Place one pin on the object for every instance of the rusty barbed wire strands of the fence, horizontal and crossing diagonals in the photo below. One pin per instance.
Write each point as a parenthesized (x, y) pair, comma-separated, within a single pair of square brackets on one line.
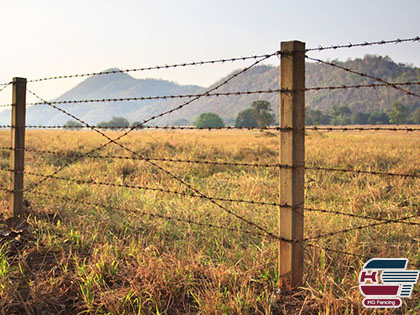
[(190, 190)]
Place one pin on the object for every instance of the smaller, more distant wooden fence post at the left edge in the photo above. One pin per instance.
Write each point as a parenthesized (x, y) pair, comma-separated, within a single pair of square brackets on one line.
[(18, 145)]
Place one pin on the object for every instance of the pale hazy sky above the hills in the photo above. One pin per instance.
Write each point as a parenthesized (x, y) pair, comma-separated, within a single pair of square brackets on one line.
[(43, 38)]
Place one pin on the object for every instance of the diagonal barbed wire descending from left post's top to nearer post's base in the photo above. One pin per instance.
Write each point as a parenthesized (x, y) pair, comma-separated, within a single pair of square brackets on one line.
[(239, 217)]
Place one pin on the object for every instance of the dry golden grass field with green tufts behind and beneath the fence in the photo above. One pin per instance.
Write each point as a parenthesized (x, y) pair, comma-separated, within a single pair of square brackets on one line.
[(102, 253)]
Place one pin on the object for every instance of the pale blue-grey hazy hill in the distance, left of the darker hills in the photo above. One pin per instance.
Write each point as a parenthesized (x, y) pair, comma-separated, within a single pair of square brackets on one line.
[(119, 85)]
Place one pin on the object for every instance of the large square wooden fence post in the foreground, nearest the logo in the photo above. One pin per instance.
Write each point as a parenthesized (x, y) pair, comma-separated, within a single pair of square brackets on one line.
[(292, 153)]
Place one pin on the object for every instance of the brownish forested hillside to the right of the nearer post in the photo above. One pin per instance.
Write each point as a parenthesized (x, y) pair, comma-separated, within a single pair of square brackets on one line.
[(363, 99)]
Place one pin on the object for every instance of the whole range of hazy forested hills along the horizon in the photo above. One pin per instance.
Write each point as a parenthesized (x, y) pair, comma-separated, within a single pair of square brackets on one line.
[(257, 78)]
